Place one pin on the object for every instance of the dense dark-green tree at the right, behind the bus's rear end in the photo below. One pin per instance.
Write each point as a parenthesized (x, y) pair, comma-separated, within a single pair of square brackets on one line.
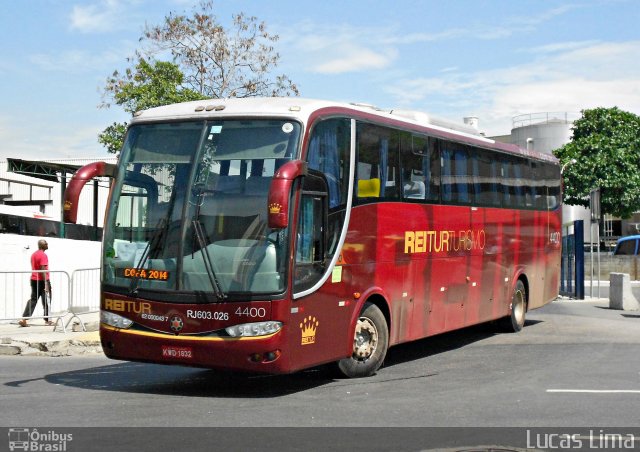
[(606, 147)]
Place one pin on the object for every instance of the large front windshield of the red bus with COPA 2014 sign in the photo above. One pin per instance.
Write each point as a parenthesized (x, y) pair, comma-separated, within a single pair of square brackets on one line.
[(188, 209)]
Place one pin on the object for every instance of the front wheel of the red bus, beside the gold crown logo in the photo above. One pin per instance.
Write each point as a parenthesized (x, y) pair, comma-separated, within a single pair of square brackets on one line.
[(370, 344)]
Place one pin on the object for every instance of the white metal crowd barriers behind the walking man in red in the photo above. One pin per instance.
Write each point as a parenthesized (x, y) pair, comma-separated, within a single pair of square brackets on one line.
[(75, 294)]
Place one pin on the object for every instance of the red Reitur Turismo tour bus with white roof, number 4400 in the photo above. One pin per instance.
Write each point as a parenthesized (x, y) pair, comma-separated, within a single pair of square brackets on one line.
[(272, 235)]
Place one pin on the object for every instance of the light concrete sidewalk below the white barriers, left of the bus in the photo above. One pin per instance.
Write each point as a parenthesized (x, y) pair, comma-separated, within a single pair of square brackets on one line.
[(40, 339)]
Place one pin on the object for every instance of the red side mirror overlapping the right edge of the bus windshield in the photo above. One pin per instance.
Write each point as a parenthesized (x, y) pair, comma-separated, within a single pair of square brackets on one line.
[(280, 193)]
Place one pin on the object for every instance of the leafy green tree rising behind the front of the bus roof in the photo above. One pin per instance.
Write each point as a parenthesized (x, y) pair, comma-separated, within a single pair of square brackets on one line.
[(150, 84)]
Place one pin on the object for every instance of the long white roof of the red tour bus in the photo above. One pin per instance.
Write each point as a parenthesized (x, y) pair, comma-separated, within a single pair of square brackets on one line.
[(302, 109)]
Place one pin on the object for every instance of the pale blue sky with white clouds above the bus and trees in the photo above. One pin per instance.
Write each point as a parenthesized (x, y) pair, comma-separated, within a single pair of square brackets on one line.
[(494, 59)]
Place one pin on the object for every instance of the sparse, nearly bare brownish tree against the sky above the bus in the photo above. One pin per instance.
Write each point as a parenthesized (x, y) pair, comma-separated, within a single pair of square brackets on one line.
[(218, 62)]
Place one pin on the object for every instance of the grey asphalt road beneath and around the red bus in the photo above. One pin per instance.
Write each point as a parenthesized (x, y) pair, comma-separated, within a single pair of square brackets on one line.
[(575, 364)]
